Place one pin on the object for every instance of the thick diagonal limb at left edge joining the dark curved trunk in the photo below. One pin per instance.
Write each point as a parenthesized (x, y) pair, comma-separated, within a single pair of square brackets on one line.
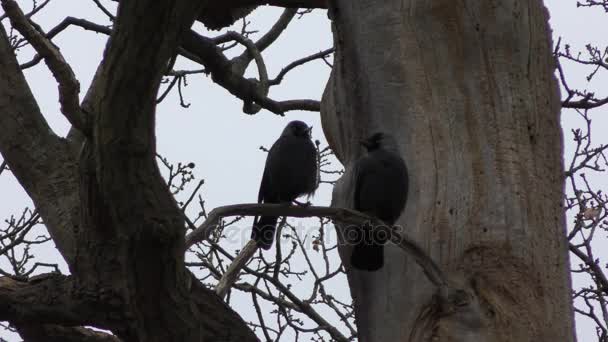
[(42, 163)]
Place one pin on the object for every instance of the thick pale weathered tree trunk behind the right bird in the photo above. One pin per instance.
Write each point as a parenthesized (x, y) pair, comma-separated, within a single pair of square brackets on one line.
[(468, 89)]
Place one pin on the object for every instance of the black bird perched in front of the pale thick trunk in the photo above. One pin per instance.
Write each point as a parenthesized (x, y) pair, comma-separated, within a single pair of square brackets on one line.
[(381, 185)]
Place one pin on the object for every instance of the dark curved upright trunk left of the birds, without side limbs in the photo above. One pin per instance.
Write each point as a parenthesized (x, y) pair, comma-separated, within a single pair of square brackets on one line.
[(132, 226)]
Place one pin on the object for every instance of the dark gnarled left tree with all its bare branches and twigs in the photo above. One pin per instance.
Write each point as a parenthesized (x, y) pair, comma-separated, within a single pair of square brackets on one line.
[(71, 190)]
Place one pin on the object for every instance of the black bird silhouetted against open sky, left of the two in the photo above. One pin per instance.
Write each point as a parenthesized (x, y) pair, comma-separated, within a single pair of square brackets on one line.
[(291, 171)]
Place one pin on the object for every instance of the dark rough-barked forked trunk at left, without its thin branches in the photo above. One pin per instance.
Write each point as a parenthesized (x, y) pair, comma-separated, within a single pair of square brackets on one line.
[(105, 203)]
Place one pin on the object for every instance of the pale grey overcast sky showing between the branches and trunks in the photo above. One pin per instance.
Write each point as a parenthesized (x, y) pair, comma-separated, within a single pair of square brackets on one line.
[(215, 134)]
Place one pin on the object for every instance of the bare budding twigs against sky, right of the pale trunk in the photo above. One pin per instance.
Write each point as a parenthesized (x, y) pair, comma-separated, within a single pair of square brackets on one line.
[(586, 200)]
